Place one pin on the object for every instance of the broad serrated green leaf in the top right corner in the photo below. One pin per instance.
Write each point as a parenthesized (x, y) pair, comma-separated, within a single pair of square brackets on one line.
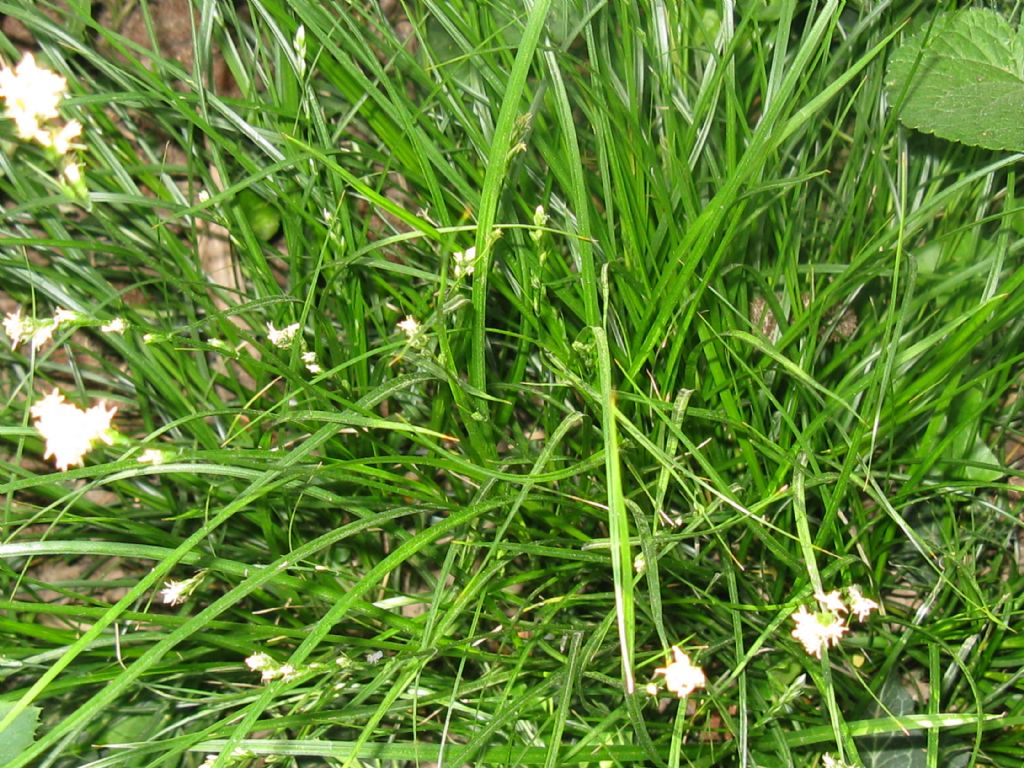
[(963, 80)]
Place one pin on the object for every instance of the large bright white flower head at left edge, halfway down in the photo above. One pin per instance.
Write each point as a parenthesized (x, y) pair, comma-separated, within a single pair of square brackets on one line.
[(71, 433)]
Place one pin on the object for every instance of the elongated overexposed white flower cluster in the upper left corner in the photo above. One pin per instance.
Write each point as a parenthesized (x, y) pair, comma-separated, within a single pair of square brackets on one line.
[(32, 98)]
